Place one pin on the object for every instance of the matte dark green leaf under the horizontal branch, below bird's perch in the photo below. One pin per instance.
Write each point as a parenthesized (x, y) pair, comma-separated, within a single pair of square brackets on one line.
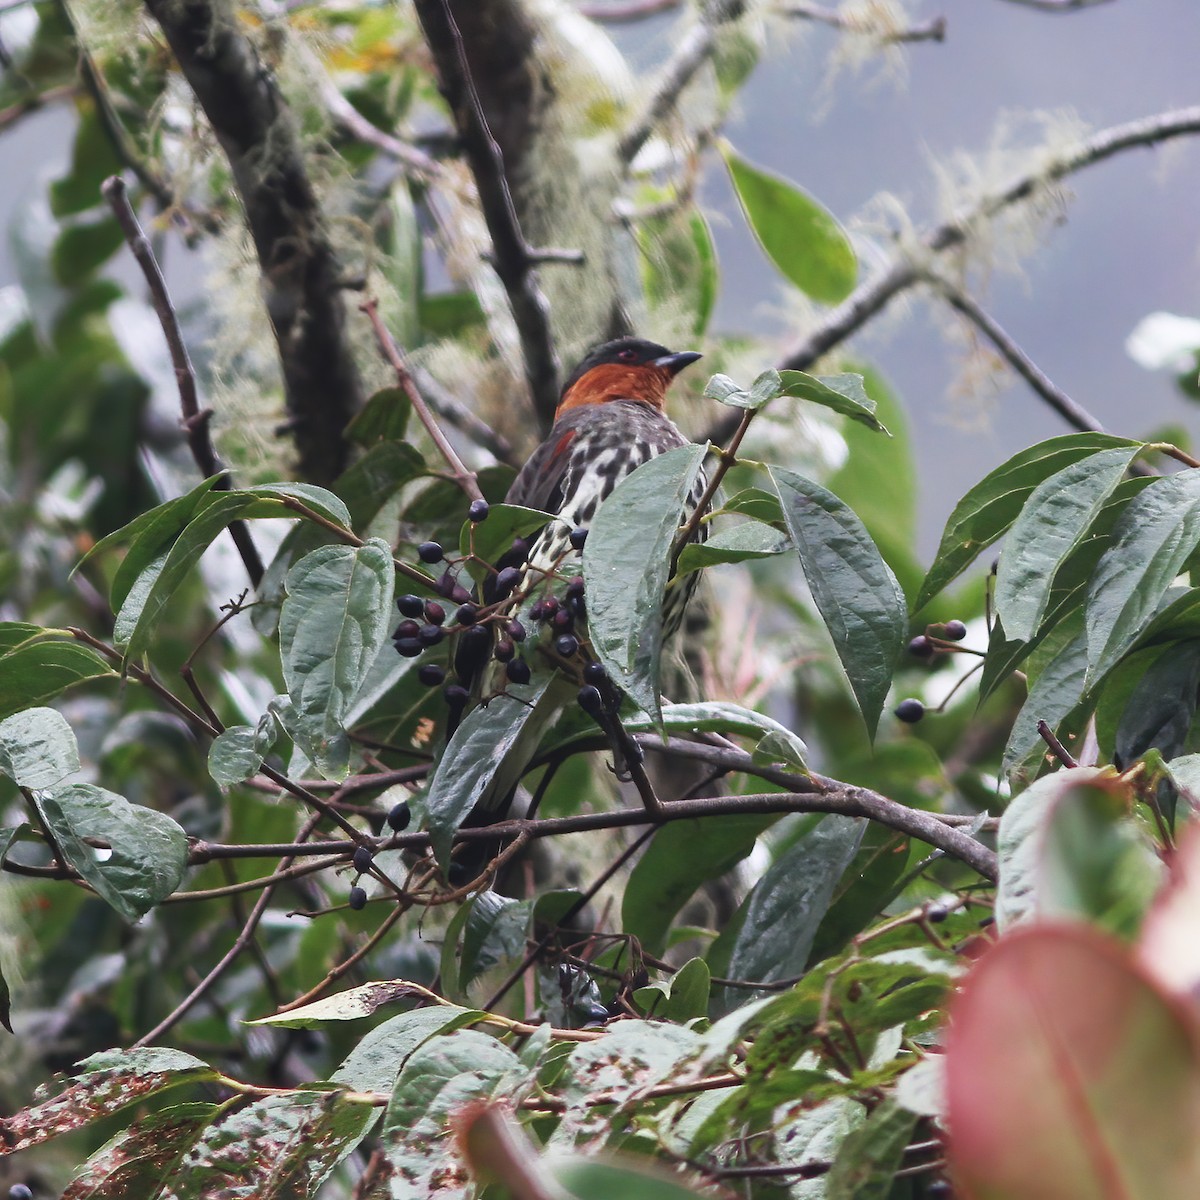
[(682, 857)]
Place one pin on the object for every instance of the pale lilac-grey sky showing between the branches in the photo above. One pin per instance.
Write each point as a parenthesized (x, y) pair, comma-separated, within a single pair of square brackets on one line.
[(1131, 243)]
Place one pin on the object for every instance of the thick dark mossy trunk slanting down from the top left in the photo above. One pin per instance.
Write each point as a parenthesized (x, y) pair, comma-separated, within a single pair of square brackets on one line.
[(299, 272)]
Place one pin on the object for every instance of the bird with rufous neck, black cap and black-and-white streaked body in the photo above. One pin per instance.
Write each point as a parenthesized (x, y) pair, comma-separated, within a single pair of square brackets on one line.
[(611, 419)]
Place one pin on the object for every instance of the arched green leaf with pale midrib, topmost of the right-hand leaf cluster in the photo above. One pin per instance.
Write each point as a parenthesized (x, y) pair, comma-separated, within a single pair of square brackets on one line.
[(992, 507)]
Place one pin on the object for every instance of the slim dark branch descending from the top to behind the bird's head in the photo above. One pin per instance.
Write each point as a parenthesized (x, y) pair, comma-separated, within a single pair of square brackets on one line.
[(514, 260)]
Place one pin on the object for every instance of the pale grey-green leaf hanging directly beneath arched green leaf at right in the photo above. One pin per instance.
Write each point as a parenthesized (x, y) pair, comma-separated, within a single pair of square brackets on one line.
[(1052, 525)]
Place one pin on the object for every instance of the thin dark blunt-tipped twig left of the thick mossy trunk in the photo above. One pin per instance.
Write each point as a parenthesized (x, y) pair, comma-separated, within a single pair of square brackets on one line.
[(195, 421)]
